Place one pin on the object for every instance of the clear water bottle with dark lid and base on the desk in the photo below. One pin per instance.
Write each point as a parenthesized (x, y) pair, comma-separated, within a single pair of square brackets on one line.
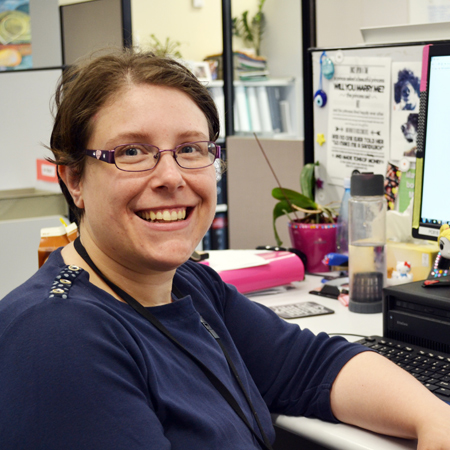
[(367, 239)]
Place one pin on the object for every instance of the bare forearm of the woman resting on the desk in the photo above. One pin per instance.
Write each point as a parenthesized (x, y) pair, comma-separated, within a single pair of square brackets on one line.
[(373, 393)]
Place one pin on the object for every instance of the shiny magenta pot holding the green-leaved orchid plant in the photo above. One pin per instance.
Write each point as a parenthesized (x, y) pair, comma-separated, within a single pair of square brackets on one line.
[(315, 241)]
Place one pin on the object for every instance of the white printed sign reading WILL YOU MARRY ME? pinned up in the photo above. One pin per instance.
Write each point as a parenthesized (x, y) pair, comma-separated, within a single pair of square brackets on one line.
[(358, 124)]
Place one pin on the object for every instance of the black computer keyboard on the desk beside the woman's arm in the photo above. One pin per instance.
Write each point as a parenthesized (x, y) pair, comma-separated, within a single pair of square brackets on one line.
[(431, 368)]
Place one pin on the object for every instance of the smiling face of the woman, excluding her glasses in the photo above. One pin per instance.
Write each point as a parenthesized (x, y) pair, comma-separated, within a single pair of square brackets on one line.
[(118, 204)]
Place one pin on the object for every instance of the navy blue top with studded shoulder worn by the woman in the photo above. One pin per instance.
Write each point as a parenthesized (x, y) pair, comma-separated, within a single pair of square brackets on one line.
[(81, 370)]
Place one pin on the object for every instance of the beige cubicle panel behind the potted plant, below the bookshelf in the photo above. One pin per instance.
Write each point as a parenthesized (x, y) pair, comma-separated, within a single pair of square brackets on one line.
[(250, 183)]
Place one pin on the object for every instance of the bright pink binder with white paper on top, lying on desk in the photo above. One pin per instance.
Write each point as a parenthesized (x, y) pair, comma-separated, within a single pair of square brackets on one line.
[(255, 270)]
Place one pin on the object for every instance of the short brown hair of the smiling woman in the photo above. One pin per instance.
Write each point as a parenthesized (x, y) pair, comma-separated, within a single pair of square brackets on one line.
[(87, 86)]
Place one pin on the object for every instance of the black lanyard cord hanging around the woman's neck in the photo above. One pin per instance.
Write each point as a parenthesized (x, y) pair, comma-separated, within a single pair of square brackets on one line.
[(223, 390)]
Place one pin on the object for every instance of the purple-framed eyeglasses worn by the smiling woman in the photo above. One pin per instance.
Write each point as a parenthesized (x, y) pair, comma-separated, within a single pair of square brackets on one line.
[(142, 157)]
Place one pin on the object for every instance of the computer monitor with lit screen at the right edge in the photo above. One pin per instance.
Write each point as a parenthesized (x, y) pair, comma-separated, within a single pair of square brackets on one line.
[(431, 198)]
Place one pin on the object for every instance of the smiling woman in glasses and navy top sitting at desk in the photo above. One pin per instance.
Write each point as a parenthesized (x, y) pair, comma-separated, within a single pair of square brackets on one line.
[(120, 342)]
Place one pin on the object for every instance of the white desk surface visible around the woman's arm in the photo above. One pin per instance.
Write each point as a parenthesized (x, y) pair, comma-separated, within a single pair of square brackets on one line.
[(334, 436)]
